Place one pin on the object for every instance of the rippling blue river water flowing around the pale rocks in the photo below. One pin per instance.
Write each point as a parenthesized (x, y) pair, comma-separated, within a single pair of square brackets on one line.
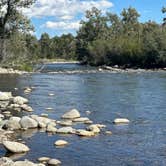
[(140, 97)]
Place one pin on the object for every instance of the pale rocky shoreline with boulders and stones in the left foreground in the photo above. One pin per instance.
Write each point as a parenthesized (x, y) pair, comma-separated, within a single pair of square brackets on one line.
[(10, 124)]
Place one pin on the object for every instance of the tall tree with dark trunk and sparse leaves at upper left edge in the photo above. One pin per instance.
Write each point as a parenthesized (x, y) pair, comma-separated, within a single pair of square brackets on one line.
[(12, 19)]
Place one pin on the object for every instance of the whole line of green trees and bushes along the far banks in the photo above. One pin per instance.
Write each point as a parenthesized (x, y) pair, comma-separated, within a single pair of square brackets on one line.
[(103, 39)]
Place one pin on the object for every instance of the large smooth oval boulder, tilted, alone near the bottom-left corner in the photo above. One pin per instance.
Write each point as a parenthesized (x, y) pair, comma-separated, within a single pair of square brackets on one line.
[(15, 147)]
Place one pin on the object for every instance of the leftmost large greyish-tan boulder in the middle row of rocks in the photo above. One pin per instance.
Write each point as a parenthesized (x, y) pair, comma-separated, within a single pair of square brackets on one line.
[(13, 123)]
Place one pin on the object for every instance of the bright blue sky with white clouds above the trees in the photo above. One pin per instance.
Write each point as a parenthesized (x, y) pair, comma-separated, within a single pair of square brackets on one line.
[(57, 17)]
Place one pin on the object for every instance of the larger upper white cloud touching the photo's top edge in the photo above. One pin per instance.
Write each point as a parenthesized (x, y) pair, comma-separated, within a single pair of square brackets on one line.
[(64, 8)]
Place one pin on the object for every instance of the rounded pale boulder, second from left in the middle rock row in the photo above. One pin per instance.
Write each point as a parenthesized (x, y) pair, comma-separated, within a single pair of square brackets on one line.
[(27, 122)]
